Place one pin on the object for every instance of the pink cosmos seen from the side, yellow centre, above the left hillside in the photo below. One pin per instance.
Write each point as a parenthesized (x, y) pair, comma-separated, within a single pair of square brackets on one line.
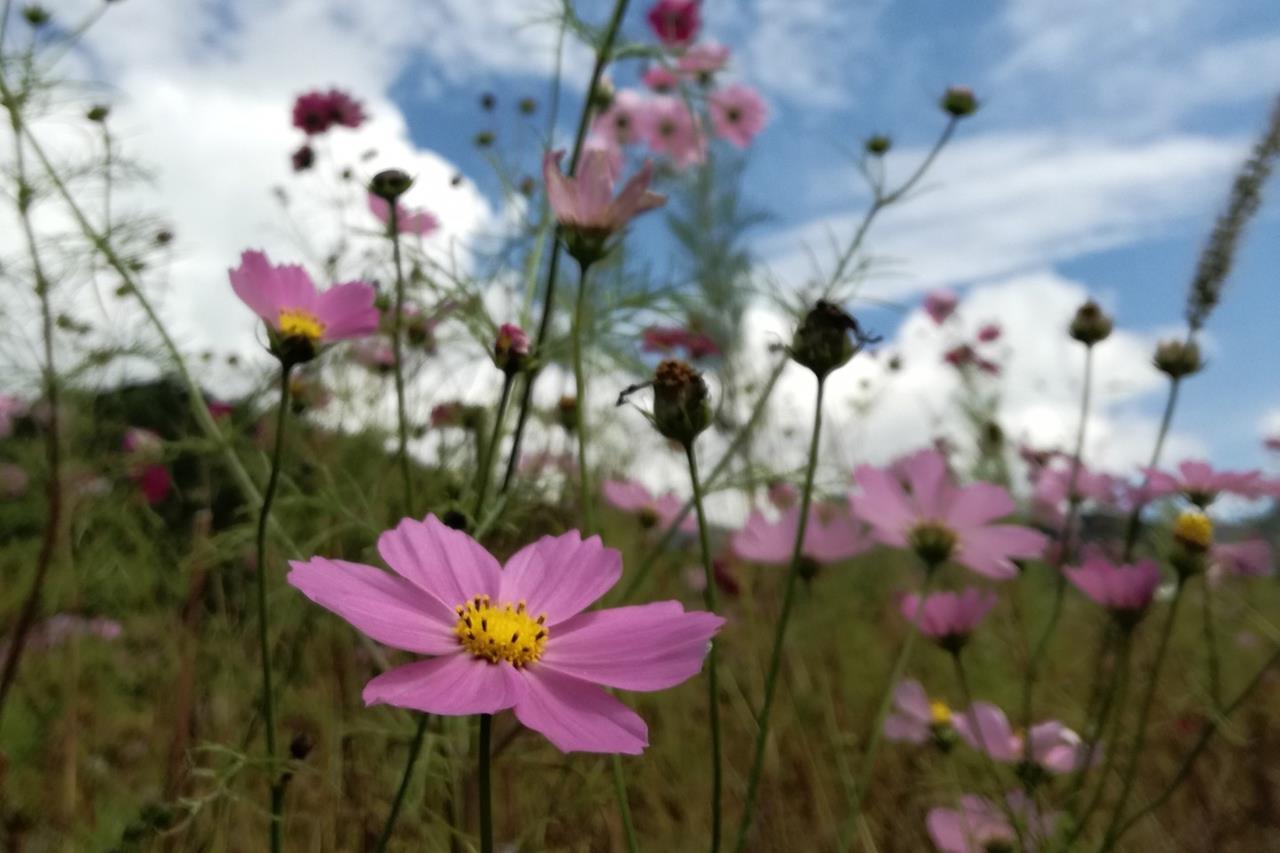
[(289, 302)]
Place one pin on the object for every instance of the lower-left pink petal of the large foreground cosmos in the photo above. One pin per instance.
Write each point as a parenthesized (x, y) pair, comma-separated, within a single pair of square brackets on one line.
[(451, 686)]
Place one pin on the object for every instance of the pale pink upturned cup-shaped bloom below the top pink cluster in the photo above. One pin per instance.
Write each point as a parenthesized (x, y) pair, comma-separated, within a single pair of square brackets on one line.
[(586, 203)]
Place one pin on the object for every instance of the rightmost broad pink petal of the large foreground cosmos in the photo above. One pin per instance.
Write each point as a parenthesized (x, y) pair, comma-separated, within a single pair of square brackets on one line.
[(647, 647)]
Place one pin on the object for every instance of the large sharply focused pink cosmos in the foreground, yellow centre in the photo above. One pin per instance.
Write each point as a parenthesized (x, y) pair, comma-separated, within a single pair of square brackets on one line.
[(518, 637)]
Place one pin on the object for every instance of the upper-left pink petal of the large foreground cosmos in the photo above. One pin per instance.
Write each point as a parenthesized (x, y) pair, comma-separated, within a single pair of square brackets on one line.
[(445, 563)]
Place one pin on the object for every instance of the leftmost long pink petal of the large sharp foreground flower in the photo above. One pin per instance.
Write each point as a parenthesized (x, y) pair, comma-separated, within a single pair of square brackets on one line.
[(383, 606)]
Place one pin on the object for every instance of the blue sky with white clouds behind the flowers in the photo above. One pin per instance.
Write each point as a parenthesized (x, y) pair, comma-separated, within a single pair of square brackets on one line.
[(1101, 156)]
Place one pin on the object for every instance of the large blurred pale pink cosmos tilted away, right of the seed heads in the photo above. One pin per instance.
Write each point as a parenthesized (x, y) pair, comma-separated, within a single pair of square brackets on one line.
[(922, 509)]
